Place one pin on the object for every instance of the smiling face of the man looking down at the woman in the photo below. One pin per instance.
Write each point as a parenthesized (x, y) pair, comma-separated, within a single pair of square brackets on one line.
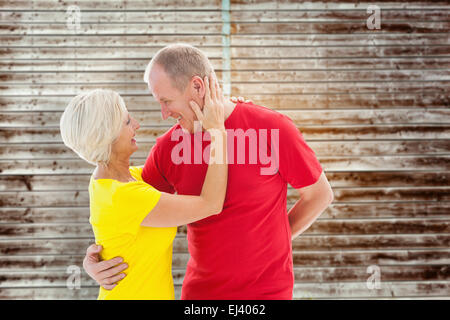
[(174, 103)]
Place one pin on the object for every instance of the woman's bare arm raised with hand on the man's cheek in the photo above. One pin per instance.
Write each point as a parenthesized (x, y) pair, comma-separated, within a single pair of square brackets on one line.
[(175, 210)]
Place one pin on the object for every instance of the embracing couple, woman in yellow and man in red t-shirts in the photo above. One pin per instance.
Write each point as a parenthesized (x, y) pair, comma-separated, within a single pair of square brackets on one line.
[(238, 229)]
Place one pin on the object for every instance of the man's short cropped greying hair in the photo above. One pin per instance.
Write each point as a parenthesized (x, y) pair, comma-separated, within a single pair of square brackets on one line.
[(181, 62)]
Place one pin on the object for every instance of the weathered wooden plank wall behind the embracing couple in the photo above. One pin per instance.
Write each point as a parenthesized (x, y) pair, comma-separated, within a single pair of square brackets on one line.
[(373, 104)]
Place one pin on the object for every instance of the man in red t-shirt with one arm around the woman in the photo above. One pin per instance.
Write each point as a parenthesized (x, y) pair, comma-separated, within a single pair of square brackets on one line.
[(244, 252)]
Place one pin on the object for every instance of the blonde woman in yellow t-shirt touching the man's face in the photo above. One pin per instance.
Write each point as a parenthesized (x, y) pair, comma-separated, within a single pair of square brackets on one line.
[(129, 217)]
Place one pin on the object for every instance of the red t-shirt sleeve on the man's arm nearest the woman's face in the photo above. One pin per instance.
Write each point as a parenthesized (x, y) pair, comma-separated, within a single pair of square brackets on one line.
[(152, 173)]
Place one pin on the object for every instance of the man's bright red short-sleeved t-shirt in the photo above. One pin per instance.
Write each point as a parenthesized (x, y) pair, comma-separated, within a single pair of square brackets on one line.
[(245, 252)]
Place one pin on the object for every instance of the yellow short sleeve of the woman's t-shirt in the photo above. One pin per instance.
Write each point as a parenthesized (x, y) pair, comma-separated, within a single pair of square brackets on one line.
[(133, 202)]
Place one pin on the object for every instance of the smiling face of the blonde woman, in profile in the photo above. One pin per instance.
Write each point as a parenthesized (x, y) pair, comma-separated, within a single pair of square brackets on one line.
[(125, 144)]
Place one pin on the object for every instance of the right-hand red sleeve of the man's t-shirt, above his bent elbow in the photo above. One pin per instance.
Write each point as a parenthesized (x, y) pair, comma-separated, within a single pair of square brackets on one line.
[(298, 164)]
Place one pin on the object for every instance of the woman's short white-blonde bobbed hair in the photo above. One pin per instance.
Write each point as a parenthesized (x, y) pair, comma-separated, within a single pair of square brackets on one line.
[(91, 123)]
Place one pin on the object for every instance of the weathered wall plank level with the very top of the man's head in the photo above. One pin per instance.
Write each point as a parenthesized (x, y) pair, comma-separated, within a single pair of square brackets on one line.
[(118, 40)]
